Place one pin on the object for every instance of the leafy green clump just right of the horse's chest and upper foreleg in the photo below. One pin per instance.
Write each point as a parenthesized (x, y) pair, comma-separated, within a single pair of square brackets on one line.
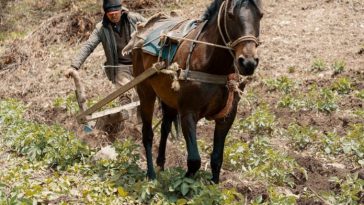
[(261, 121)]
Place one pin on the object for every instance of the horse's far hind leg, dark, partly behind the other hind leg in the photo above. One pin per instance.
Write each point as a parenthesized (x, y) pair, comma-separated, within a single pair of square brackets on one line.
[(169, 116)]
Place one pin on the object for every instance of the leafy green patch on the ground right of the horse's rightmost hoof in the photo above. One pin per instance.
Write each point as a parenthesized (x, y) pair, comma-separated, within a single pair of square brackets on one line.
[(259, 160)]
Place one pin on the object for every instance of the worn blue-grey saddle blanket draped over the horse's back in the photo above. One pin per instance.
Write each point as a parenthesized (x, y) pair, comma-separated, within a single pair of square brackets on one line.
[(166, 51)]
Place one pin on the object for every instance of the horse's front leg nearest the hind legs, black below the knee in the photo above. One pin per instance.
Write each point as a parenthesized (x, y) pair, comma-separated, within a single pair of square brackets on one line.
[(188, 122)]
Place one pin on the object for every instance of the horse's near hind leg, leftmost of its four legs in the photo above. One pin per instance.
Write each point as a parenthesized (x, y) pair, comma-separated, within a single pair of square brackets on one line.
[(147, 98)]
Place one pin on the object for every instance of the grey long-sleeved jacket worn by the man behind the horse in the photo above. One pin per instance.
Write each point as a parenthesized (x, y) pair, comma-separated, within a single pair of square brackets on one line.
[(104, 34)]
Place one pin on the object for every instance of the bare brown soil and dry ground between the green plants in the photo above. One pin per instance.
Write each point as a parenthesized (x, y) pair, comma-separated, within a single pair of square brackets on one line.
[(294, 33)]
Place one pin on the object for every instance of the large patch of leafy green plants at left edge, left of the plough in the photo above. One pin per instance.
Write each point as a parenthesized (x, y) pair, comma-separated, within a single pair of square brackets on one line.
[(53, 144)]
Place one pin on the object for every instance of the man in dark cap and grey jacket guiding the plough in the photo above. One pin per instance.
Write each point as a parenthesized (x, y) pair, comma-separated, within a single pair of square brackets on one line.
[(114, 33)]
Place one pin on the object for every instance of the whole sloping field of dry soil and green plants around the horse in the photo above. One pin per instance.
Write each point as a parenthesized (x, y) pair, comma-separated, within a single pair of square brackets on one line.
[(298, 137)]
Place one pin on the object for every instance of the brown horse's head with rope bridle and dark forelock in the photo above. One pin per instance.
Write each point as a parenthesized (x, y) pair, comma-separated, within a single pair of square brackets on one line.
[(240, 26)]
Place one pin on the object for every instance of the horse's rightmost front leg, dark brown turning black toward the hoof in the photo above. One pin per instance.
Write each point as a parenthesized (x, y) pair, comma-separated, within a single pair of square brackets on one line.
[(222, 127)]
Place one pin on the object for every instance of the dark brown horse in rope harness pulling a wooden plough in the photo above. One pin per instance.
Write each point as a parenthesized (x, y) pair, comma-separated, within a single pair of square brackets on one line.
[(230, 32)]
